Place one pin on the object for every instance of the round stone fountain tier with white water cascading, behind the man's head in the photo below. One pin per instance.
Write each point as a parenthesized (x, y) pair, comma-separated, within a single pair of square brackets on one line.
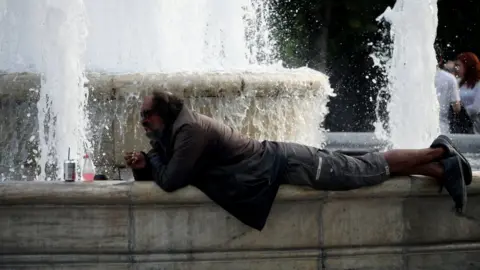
[(217, 60)]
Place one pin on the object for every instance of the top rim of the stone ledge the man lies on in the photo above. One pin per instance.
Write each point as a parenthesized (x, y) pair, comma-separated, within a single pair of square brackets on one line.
[(128, 192)]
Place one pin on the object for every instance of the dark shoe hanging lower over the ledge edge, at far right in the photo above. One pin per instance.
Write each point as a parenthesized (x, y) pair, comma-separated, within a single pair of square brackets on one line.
[(454, 182)]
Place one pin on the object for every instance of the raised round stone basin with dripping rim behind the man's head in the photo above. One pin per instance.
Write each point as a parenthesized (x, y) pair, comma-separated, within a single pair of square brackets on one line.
[(281, 105)]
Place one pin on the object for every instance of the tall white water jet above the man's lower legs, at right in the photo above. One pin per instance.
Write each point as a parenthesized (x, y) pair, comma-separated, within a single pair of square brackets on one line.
[(413, 107)]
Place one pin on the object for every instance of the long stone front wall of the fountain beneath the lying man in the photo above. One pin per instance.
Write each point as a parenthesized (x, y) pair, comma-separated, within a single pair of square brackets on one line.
[(401, 224)]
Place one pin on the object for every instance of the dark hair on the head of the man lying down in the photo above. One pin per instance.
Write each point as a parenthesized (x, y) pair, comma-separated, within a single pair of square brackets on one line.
[(167, 106)]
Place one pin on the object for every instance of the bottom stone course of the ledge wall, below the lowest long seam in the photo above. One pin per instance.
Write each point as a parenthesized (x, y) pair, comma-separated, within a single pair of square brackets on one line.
[(385, 257)]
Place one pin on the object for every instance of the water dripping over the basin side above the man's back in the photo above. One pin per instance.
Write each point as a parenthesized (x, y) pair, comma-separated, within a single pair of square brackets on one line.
[(294, 115)]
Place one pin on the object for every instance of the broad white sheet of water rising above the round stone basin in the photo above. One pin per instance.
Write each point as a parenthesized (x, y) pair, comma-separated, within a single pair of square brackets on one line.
[(176, 35)]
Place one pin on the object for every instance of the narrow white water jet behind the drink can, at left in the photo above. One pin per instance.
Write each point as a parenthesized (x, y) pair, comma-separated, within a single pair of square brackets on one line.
[(61, 107)]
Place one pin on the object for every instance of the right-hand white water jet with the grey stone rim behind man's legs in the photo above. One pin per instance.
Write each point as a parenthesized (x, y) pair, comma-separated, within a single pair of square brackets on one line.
[(410, 69)]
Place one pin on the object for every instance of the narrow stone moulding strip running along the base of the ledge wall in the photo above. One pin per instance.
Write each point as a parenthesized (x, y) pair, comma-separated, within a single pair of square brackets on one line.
[(246, 254)]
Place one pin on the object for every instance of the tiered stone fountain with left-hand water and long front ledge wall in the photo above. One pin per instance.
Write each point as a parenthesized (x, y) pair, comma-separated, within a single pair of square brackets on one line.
[(123, 225)]
